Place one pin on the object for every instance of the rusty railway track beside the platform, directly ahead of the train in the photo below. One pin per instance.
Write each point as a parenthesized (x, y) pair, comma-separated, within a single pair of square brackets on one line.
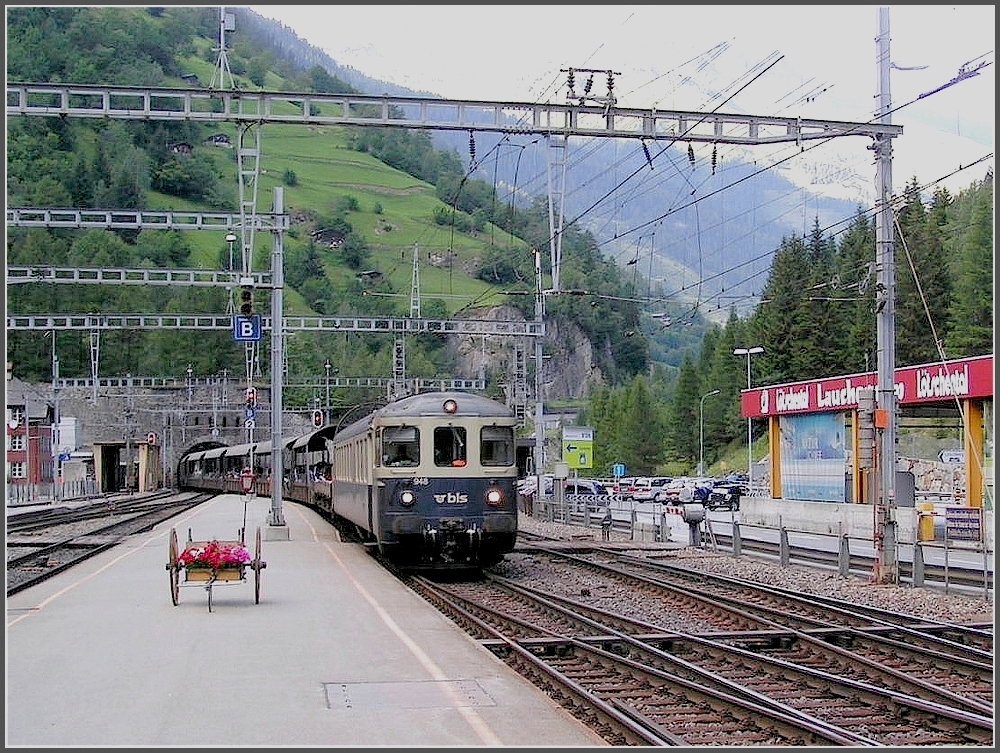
[(678, 688)]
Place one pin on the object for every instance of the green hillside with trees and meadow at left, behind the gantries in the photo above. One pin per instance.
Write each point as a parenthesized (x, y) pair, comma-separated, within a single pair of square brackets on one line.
[(335, 187)]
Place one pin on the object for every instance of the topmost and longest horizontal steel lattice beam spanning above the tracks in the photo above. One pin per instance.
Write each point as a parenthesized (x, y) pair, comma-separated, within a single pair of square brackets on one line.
[(530, 118)]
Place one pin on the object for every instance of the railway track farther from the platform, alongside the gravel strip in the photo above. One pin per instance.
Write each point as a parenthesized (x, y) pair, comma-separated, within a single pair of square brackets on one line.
[(786, 624)]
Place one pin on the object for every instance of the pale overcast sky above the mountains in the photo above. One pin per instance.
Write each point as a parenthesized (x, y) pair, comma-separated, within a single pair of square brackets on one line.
[(811, 61)]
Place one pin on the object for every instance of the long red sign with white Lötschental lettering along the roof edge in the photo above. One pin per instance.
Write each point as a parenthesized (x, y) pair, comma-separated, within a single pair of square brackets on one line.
[(937, 382)]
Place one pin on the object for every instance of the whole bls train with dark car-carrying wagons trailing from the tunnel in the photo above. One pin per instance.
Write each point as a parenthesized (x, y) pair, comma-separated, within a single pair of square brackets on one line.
[(428, 479)]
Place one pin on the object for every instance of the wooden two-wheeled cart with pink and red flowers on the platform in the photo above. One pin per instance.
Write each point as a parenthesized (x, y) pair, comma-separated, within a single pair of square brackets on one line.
[(210, 563)]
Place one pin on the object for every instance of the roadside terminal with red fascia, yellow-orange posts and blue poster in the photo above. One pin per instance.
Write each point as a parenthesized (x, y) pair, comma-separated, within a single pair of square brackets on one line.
[(820, 436)]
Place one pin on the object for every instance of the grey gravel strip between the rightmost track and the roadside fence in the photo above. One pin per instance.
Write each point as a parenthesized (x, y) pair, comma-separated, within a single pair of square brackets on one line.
[(929, 602)]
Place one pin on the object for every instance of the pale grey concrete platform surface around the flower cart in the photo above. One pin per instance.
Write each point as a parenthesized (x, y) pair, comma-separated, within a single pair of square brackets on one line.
[(337, 653)]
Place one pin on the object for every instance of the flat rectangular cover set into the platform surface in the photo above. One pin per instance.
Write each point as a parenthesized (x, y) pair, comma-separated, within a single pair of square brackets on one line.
[(408, 695)]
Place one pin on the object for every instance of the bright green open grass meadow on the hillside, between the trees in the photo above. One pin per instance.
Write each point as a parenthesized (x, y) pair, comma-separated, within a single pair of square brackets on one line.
[(394, 212)]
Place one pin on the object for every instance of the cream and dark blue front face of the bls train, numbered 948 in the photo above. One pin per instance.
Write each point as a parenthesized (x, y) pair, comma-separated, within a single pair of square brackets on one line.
[(447, 486)]
